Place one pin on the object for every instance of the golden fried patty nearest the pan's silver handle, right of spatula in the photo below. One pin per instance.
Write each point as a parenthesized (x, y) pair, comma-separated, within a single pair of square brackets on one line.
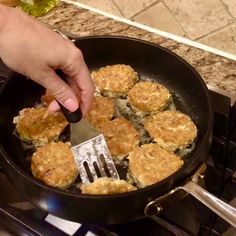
[(150, 164)]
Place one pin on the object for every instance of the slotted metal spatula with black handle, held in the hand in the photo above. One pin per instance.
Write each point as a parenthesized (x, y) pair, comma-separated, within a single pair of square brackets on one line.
[(89, 147)]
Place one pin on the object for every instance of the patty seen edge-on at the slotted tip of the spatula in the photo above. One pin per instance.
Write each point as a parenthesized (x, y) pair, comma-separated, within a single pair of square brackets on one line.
[(107, 185)]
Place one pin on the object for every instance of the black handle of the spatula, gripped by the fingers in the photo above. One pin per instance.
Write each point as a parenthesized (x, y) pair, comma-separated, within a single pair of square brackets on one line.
[(72, 117)]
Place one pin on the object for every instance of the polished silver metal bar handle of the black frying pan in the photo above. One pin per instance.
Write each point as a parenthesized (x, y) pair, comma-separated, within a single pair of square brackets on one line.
[(221, 208)]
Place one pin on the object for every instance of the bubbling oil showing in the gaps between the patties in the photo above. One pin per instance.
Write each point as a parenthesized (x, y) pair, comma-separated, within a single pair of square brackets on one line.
[(123, 109)]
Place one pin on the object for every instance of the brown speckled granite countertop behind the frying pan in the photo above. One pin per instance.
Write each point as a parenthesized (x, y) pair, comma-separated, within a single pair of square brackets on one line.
[(215, 70)]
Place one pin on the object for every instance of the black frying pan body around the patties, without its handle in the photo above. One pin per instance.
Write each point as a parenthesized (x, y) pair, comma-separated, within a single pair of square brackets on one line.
[(151, 62)]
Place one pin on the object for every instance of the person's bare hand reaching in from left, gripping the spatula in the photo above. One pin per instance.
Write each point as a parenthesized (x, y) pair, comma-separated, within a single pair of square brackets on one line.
[(35, 51)]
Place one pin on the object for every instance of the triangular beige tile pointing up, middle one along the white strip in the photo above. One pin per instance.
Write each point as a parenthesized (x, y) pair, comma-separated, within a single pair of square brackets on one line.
[(160, 18)]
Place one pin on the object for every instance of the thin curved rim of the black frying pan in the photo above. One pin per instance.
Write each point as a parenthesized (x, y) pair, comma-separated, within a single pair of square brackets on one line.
[(141, 190)]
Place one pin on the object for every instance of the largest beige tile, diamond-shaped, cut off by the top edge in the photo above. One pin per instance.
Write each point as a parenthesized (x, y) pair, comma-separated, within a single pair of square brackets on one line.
[(199, 17)]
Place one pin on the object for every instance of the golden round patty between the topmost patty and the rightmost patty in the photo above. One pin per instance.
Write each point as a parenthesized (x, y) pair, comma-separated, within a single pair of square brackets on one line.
[(148, 97)]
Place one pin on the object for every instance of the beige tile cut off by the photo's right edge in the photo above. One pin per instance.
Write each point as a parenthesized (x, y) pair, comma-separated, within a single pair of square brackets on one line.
[(223, 39)]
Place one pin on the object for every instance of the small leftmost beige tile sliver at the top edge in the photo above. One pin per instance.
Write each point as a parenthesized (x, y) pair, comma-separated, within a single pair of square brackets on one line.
[(105, 5)]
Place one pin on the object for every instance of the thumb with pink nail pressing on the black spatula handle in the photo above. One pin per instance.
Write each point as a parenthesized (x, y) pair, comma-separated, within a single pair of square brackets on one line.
[(61, 91)]
